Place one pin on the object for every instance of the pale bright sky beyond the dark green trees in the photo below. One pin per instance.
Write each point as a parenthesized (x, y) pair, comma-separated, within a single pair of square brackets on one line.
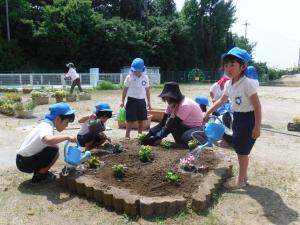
[(274, 26)]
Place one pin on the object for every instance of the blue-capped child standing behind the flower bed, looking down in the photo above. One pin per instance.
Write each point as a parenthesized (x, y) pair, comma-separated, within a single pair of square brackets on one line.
[(136, 88)]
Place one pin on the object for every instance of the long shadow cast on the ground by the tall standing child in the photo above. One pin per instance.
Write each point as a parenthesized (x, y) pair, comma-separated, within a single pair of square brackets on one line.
[(275, 210)]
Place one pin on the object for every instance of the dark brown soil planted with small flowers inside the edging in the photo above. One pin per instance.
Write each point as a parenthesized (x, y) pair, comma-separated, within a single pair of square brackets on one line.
[(148, 179)]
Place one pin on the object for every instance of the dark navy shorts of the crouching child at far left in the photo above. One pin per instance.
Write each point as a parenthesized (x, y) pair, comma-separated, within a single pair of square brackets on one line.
[(38, 161)]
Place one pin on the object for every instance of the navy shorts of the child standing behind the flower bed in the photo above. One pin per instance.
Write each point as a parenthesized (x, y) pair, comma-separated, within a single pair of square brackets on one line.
[(135, 109)]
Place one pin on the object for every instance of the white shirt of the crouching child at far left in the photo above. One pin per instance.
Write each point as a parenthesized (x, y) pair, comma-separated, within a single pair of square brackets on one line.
[(34, 142)]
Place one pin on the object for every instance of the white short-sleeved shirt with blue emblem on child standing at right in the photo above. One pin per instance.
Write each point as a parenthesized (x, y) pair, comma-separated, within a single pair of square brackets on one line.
[(239, 93)]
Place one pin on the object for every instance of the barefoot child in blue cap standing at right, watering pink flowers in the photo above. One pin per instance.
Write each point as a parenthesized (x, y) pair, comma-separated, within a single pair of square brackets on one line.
[(247, 111)]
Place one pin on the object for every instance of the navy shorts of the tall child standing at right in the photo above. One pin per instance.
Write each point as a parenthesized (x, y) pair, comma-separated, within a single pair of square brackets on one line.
[(243, 124)]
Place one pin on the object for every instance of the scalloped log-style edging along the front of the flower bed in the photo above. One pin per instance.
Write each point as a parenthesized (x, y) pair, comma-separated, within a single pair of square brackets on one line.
[(123, 201)]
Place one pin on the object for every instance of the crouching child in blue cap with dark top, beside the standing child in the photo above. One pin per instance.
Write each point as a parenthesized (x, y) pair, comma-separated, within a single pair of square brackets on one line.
[(91, 134)]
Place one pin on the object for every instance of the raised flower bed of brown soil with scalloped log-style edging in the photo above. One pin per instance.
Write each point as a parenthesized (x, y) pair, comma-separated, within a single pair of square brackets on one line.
[(157, 187)]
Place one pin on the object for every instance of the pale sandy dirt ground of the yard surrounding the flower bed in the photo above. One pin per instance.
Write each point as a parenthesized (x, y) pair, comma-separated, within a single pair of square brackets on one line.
[(272, 198)]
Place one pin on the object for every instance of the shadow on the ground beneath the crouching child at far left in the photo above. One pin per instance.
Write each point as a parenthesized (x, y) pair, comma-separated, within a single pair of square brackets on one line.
[(53, 191)]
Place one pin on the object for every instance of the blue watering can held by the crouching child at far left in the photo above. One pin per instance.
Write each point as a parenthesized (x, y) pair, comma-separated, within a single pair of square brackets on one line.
[(73, 154)]
